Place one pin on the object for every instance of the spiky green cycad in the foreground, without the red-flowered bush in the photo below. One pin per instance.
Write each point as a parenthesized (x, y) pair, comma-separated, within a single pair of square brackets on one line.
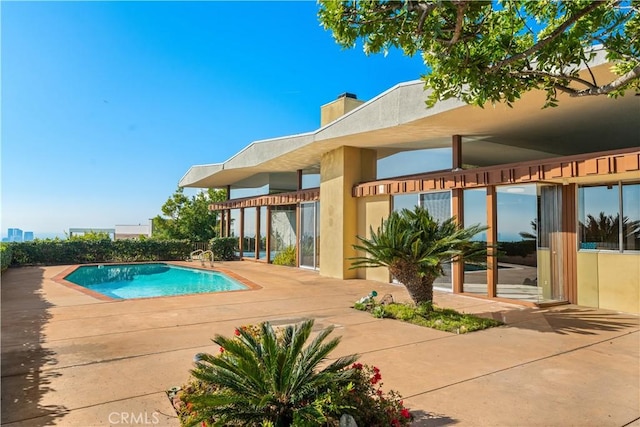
[(269, 378)]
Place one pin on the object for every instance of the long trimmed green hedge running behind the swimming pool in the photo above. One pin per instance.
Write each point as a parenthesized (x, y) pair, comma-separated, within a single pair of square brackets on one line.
[(52, 252)]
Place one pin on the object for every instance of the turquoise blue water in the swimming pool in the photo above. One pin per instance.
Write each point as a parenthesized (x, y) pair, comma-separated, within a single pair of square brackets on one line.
[(150, 280)]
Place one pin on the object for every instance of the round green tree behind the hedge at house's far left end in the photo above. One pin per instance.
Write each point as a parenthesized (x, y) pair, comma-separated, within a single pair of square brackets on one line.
[(189, 217)]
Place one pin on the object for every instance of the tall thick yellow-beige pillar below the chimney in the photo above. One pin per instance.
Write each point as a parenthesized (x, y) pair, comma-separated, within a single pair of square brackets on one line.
[(340, 170)]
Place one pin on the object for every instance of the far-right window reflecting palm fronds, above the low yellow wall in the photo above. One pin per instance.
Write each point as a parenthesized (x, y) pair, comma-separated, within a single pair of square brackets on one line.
[(609, 217)]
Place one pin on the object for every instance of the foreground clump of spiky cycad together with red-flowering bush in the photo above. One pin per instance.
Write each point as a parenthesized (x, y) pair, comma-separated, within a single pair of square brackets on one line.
[(266, 376)]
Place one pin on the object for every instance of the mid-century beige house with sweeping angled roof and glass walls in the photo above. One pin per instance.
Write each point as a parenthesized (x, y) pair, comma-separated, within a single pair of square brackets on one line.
[(558, 188)]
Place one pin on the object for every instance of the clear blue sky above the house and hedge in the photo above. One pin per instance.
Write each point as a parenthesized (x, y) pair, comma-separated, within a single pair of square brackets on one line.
[(105, 105)]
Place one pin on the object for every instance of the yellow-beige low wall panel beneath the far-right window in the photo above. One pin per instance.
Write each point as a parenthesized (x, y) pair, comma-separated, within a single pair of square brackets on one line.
[(609, 280)]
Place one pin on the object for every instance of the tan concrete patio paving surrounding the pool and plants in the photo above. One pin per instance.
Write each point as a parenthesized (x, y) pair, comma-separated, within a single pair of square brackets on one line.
[(70, 359)]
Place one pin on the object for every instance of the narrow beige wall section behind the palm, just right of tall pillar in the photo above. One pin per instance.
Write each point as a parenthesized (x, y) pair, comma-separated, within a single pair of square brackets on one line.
[(371, 212)]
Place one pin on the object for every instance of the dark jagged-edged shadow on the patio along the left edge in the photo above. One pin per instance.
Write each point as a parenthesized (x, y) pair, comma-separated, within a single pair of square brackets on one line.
[(25, 381)]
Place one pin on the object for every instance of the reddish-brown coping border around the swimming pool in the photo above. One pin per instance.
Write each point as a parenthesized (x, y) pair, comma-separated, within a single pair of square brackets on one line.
[(60, 279)]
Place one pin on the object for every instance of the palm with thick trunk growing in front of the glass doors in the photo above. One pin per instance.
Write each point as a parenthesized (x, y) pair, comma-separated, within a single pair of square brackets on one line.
[(414, 247)]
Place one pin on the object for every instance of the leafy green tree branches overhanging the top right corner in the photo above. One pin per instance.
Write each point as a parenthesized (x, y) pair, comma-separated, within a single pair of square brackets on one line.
[(494, 51)]
